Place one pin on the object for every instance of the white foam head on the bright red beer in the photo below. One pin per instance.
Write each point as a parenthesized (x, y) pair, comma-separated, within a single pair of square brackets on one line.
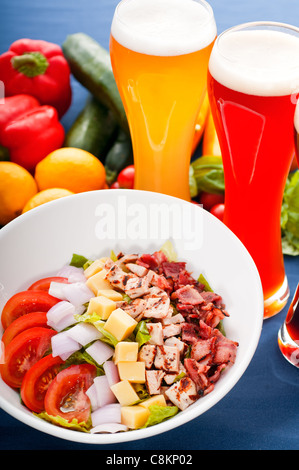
[(260, 62)]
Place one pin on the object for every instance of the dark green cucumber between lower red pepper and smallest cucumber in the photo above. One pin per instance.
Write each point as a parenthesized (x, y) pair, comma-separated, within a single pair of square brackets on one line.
[(94, 130)]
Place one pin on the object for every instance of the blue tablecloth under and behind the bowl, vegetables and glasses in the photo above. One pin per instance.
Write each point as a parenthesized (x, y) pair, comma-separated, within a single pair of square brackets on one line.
[(262, 411)]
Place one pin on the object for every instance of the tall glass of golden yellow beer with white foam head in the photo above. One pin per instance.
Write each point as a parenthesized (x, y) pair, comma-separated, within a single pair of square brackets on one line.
[(159, 52)]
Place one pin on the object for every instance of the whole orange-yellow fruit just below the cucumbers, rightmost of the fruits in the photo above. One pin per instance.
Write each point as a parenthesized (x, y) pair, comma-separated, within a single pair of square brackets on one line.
[(70, 168)]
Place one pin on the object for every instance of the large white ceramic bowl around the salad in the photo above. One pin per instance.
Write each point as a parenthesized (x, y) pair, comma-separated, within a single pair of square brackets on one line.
[(40, 242)]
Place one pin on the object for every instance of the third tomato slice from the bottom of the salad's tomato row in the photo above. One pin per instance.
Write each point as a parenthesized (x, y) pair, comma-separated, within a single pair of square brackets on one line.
[(23, 352)]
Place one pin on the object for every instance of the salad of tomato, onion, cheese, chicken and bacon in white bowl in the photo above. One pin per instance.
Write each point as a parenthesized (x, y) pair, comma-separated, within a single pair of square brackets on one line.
[(115, 344)]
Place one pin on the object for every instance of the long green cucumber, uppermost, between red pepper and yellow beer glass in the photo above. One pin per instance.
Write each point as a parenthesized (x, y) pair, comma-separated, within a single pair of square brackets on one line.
[(90, 64)]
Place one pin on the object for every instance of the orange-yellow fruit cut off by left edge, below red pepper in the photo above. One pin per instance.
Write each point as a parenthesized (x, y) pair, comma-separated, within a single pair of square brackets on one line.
[(17, 186)]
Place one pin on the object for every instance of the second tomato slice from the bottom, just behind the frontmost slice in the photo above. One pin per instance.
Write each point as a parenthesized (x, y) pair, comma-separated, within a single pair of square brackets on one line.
[(37, 380)]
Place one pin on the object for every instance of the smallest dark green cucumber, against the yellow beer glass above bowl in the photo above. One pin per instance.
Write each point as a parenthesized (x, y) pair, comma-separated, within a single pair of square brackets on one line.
[(119, 156)]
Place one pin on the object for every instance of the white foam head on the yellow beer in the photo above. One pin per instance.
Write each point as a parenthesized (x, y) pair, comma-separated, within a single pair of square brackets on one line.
[(164, 27)]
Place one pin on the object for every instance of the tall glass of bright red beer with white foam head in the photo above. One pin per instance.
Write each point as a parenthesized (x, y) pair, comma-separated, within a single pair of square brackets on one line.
[(252, 83)]
